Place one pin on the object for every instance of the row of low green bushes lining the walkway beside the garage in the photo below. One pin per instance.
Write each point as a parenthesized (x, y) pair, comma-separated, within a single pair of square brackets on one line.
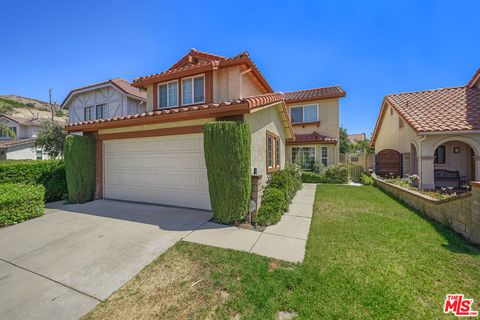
[(281, 187)]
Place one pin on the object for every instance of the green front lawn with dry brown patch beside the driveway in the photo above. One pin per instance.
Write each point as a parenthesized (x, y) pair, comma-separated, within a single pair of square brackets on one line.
[(368, 256)]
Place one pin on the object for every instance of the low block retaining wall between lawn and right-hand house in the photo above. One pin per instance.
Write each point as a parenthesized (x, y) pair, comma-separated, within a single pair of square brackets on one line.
[(461, 213)]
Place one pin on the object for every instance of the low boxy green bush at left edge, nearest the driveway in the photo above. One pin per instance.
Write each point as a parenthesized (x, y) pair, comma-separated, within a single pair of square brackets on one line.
[(20, 202)]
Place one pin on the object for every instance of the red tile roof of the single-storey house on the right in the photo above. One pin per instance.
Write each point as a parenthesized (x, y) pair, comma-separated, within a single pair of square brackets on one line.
[(447, 109)]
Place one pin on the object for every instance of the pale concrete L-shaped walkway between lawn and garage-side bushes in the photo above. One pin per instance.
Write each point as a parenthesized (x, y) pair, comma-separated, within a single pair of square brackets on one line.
[(285, 241)]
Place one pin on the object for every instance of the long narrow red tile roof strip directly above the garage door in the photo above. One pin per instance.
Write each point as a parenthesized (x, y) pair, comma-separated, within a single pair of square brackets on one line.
[(250, 103)]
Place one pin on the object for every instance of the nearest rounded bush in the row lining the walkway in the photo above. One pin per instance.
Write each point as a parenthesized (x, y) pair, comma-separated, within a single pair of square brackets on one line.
[(272, 208)]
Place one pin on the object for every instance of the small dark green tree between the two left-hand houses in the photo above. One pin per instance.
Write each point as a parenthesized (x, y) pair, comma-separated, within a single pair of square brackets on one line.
[(51, 138)]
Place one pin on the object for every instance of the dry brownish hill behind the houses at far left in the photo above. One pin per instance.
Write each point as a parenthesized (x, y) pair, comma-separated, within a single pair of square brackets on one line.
[(28, 107)]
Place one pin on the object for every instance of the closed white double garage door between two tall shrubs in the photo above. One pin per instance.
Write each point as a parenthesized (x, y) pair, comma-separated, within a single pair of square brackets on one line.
[(165, 170)]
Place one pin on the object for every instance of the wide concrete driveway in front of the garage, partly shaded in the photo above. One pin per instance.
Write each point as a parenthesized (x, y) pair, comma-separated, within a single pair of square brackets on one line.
[(63, 264)]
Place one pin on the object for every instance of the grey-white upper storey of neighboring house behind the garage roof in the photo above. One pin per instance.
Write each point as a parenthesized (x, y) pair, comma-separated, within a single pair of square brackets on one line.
[(108, 99)]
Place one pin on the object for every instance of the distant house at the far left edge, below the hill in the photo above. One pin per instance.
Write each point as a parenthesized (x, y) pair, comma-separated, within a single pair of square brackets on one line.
[(21, 148)]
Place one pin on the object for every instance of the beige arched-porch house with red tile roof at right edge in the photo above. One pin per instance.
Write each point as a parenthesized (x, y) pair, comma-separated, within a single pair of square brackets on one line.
[(434, 134)]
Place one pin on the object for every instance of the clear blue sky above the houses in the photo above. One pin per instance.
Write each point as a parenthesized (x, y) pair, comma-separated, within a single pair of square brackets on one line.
[(370, 48)]
